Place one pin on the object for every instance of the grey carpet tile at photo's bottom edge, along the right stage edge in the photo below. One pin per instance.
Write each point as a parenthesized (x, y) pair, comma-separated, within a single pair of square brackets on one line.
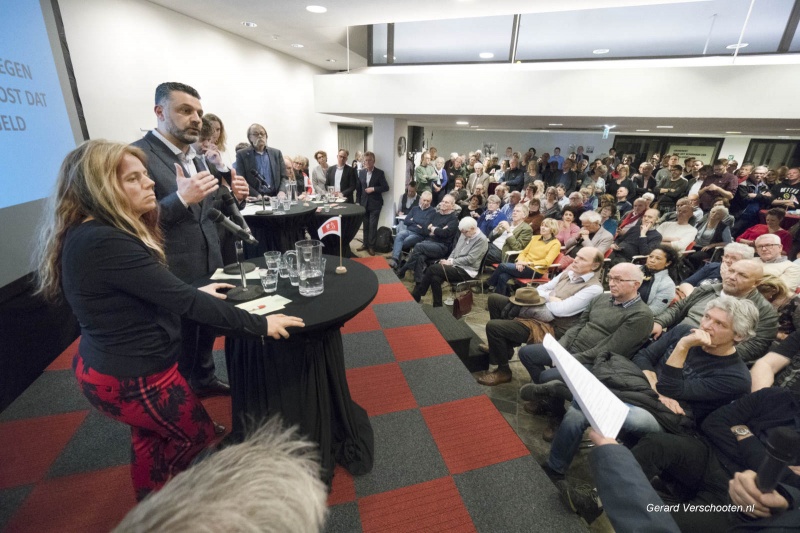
[(493, 496)]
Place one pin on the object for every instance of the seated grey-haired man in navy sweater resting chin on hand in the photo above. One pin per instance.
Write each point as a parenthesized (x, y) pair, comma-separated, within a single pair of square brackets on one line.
[(690, 372)]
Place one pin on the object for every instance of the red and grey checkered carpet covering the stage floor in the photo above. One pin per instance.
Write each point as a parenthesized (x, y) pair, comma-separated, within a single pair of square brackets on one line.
[(445, 458)]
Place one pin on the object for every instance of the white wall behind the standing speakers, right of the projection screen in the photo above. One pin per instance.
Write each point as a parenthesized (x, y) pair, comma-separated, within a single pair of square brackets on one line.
[(122, 49)]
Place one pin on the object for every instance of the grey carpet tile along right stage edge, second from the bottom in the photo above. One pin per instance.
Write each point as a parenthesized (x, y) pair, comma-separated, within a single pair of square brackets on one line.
[(439, 380)]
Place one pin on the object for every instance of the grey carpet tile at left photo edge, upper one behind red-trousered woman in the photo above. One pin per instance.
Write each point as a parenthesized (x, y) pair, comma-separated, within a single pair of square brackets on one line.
[(54, 392)]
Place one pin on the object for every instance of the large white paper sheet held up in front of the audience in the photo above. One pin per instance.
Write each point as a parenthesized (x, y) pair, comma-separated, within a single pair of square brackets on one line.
[(604, 411)]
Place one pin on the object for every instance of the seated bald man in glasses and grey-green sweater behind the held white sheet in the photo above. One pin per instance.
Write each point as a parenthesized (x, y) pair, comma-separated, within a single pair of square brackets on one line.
[(616, 324)]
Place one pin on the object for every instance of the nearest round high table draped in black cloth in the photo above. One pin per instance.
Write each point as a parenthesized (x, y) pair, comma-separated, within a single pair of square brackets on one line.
[(302, 378)]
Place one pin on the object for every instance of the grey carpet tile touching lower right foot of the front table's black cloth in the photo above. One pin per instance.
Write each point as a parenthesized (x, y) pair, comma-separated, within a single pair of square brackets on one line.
[(405, 454)]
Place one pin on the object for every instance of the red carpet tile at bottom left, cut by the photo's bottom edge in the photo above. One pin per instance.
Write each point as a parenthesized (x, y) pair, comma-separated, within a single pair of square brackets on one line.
[(90, 502)]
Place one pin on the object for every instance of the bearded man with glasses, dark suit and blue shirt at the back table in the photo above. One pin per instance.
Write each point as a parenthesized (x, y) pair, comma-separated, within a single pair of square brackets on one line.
[(262, 166)]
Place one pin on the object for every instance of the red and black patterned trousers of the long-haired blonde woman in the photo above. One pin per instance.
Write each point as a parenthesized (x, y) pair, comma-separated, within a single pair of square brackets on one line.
[(169, 425)]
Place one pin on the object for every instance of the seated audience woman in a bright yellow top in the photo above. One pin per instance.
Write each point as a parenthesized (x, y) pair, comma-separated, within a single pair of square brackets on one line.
[(532, 262)]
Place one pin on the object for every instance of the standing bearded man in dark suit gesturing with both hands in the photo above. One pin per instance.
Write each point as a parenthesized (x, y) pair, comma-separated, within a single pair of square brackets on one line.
[(186, 190)]
